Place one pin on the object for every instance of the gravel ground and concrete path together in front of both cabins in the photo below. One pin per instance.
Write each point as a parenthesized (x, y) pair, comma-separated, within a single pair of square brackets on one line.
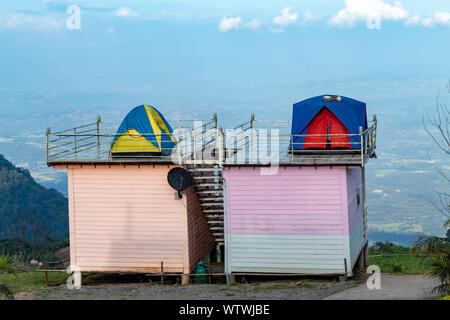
[(392, 287)]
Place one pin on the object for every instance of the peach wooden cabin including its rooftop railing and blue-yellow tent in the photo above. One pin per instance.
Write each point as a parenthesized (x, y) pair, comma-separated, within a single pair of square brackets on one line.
[(123, 215)]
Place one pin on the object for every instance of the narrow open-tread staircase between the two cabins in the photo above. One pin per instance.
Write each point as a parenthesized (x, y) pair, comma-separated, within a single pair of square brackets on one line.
[(209, 185)]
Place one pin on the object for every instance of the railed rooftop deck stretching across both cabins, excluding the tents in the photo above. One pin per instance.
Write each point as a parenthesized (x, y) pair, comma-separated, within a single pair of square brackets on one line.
[(255, 142)]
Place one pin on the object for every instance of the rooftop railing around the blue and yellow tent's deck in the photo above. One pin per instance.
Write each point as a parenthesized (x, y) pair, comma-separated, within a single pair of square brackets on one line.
[(93, 142)]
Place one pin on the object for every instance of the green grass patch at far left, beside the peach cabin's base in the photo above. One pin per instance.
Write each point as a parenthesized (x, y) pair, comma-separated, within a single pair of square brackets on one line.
[(25, 282)]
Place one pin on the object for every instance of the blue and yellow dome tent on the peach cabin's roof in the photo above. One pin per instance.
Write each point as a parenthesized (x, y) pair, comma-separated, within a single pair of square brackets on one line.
[(143, 132)]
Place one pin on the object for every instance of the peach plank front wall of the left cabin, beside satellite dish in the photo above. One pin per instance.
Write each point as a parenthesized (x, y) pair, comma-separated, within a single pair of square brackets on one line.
[(126, 218)]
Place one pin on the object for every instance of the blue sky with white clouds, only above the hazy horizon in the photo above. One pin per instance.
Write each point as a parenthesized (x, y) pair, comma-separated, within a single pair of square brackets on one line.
[(178, 45)]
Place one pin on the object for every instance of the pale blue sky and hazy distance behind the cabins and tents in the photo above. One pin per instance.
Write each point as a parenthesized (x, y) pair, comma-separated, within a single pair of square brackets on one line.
[(193, 58)]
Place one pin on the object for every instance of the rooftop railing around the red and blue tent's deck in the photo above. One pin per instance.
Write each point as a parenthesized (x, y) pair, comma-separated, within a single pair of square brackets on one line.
[(269, 141)]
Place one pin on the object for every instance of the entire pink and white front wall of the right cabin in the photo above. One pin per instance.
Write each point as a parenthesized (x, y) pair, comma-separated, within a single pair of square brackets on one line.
[(294, 221)]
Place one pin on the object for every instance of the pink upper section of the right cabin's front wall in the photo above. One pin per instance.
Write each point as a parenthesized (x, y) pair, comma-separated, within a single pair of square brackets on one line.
[(297, 201)]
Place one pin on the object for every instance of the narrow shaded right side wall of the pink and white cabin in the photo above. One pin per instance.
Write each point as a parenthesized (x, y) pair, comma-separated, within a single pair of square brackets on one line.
[(355, 212)]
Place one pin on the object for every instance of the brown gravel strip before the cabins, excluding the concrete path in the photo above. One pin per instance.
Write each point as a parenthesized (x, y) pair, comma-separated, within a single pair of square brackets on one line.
[(278, 290)]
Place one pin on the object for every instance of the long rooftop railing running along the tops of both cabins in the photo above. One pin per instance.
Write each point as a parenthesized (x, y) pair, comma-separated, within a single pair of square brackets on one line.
[(94, 144)]
